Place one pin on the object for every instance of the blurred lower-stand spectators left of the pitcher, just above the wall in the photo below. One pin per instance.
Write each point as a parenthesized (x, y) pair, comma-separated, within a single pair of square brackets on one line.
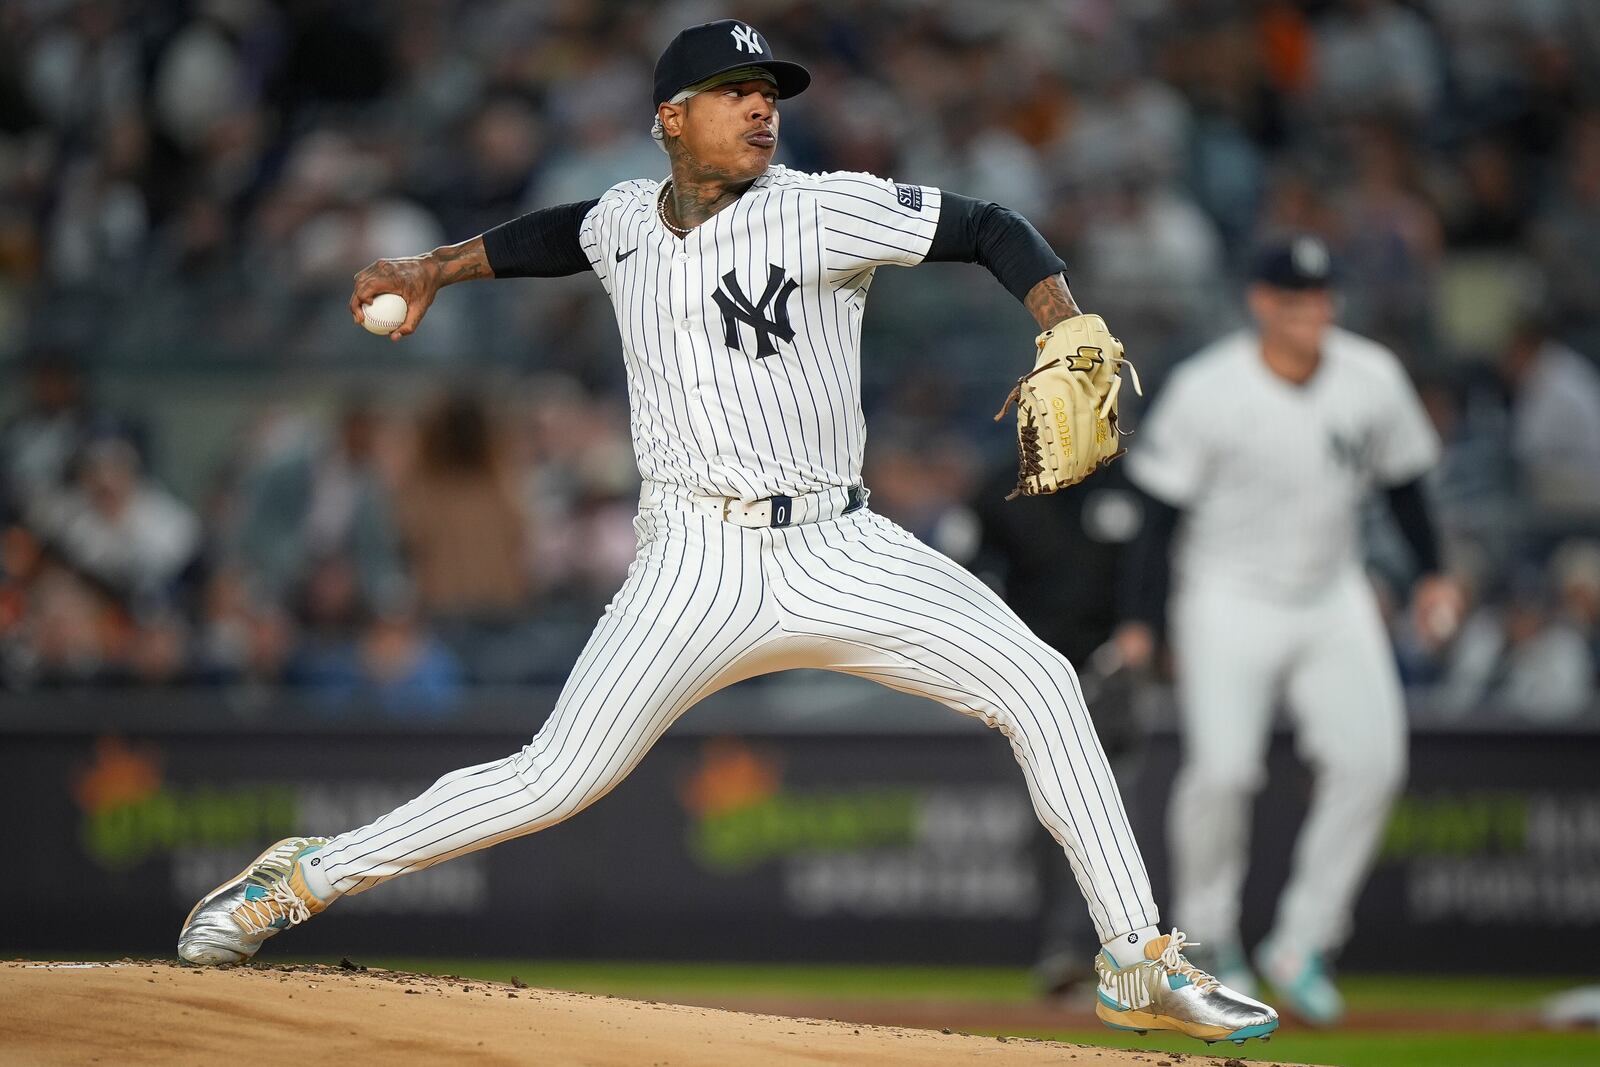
[(374, 557)]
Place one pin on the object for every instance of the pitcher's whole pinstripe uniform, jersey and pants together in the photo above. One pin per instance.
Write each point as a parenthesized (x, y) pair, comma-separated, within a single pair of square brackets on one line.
[(710, 602)]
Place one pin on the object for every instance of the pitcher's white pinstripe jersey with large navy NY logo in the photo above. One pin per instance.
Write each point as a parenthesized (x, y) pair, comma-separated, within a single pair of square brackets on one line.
[(743, 340)]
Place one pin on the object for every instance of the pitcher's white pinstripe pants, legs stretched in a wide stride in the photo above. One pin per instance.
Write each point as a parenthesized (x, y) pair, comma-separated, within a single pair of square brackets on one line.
[(708, 604)]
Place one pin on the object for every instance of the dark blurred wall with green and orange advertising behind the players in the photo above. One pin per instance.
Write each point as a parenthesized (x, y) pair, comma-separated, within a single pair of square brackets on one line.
[(801, 847)]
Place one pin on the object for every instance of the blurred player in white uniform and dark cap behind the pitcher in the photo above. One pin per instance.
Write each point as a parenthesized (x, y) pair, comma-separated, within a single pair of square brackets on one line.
[(1258, 457)]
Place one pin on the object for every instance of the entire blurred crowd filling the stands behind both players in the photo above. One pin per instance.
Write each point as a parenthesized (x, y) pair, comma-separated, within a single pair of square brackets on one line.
[(194, 183)]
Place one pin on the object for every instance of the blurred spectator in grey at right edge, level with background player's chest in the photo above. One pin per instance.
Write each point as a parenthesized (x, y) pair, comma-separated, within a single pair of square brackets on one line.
[(1554, 422)]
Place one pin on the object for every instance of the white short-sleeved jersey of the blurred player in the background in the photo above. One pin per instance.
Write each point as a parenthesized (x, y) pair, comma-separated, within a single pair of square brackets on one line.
[(1270, 474)]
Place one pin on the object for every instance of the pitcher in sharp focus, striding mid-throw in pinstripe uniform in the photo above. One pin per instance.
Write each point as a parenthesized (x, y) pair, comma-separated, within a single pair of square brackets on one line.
[(738, 292)]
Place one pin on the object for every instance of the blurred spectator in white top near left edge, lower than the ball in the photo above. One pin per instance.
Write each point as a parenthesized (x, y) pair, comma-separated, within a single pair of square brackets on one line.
[(116, 527)]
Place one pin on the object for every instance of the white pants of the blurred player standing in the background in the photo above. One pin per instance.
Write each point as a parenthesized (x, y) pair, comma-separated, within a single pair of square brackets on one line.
[(1330, 658)]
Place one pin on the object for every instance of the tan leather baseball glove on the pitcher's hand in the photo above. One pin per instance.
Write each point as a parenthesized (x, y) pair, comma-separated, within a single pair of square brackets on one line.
[(1066, 407)]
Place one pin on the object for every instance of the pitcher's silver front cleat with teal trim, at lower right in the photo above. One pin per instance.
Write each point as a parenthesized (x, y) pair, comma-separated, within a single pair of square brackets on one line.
[(1167, 993)]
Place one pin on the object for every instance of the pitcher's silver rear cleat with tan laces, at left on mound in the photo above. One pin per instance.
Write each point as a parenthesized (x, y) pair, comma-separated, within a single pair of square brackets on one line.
[(231, 922)]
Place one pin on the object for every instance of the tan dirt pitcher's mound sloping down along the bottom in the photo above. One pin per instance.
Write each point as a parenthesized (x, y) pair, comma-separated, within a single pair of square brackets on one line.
[(161, 1013)]
